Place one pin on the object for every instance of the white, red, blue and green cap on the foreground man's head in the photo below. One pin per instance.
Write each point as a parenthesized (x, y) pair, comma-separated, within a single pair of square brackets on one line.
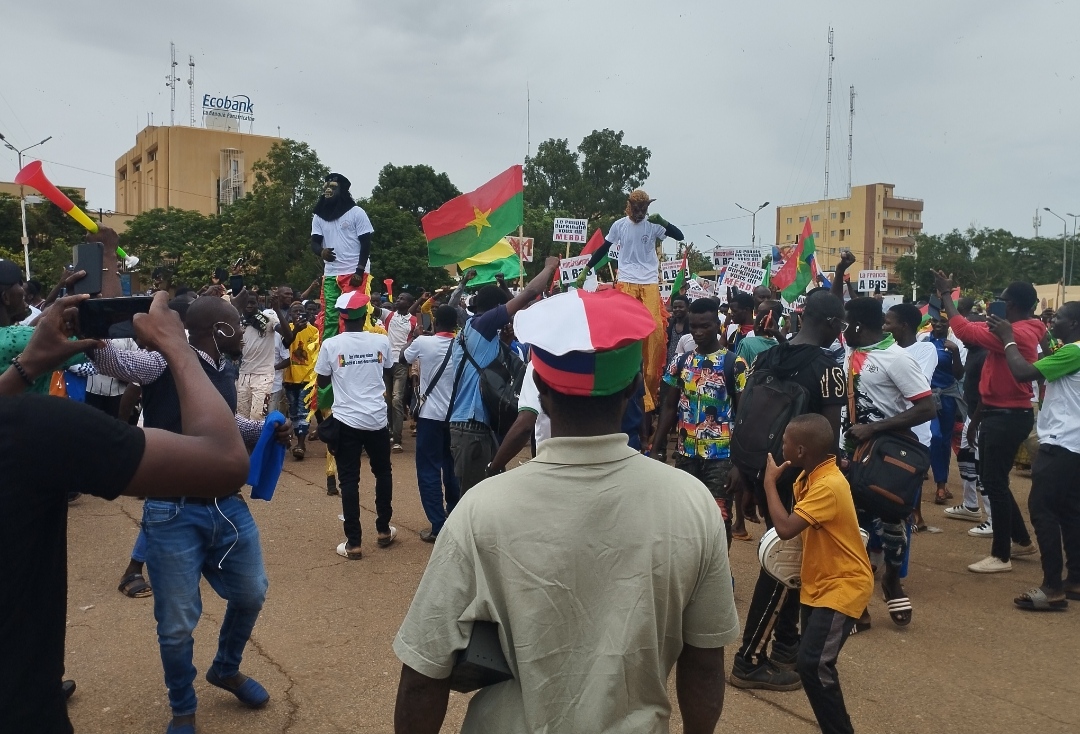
[(586, 344)]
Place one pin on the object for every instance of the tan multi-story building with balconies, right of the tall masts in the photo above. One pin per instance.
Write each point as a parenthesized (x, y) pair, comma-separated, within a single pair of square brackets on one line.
[(873, 223)]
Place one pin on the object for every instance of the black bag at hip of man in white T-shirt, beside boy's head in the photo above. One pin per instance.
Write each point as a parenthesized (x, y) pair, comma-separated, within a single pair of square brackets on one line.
[(886, 475)]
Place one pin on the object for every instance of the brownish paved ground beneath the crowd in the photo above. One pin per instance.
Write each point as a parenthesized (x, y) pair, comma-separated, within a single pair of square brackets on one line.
[(969, 662)]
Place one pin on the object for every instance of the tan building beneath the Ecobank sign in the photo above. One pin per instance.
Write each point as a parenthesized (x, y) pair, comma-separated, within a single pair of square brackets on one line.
[(187, 168)]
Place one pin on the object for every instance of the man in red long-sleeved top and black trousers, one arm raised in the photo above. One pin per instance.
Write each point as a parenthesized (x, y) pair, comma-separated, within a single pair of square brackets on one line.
[(1006, 412)]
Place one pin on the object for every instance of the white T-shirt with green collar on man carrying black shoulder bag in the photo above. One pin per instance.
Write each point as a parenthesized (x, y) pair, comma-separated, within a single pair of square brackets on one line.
[(889, 383)]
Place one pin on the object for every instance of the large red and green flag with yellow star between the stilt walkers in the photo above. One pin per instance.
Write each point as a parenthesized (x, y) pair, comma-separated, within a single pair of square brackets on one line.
[(474, 223)]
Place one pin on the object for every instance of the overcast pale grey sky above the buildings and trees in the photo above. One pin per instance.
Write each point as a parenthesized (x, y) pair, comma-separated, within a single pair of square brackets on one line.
[(971, 106)]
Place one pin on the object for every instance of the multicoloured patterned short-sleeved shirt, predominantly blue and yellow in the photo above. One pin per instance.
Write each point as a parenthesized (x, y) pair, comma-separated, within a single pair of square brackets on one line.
[(705, 404)]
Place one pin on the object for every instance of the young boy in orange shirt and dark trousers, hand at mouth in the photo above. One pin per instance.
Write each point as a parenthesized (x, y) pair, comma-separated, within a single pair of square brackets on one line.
[(836, 576)]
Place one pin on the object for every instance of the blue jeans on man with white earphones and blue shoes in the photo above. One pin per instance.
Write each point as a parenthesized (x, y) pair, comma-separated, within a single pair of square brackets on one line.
[(186, 541)]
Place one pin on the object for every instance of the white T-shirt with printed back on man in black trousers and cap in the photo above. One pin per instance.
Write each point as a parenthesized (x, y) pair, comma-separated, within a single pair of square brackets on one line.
[(355, 362)]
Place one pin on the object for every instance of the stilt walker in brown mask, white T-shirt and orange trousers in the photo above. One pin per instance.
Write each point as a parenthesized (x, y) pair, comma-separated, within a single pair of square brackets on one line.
[(640, 278)]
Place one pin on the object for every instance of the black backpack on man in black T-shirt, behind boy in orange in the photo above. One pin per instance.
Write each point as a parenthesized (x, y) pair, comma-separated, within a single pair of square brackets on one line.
[(768, 403)]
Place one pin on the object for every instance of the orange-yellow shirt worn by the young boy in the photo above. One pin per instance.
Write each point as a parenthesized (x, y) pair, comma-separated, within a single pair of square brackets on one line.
[(836, 572)]
